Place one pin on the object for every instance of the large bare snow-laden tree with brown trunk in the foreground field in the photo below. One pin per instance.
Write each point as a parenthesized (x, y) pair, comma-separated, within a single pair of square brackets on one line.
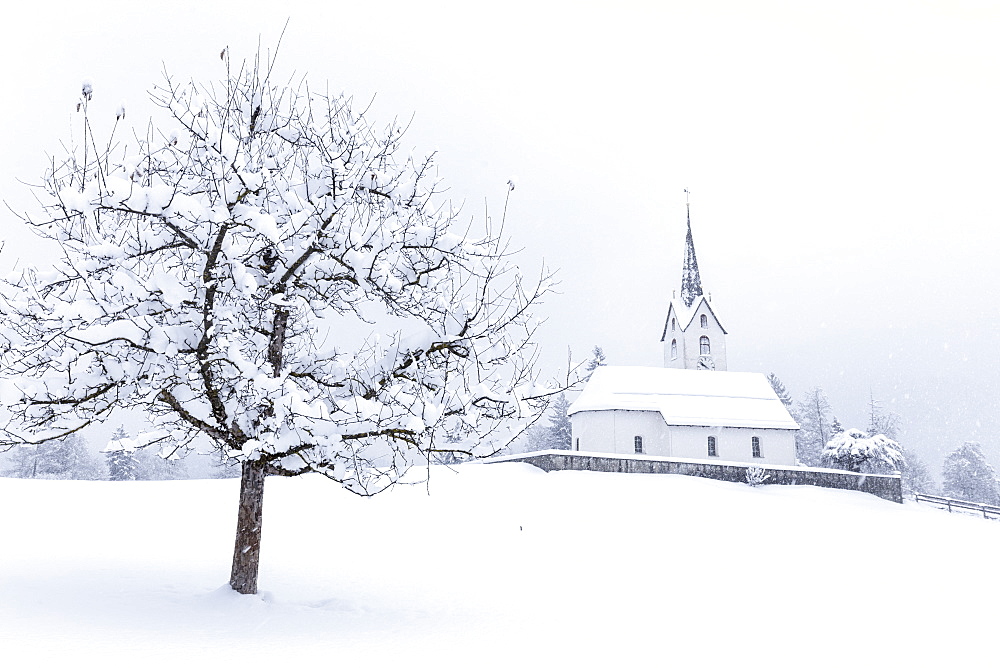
[(268, 270)]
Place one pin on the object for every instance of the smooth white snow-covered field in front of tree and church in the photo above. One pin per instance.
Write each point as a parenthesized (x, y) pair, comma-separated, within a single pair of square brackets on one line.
[(500, 564)]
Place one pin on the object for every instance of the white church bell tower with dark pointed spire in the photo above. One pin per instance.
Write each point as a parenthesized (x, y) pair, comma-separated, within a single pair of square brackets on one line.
[(693, 337)]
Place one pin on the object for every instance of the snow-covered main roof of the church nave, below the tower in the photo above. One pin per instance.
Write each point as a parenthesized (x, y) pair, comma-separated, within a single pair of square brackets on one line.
[(687, 397)]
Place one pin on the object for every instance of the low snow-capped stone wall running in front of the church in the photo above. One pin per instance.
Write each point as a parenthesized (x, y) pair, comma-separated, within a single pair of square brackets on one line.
[(888, 487)]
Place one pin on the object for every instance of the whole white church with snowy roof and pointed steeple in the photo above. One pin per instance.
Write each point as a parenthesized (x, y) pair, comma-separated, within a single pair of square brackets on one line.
[(692, 407)]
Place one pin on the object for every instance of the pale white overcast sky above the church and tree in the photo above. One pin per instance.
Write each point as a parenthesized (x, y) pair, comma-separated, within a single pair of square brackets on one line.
[(842, 162)]
